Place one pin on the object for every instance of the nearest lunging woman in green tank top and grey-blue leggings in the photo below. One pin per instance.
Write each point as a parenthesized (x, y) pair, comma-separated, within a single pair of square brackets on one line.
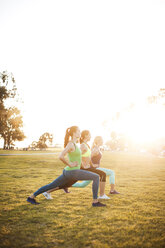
[(72, 170)]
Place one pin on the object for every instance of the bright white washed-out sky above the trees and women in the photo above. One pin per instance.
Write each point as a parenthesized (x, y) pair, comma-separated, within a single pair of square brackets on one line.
[(78, 62)]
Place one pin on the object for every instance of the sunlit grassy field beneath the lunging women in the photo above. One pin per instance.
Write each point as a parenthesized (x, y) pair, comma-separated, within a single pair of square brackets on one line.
[(135, 218)]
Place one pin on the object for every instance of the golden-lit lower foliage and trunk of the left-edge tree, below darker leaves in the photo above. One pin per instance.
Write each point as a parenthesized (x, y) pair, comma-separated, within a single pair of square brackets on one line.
[(11, 124)]
